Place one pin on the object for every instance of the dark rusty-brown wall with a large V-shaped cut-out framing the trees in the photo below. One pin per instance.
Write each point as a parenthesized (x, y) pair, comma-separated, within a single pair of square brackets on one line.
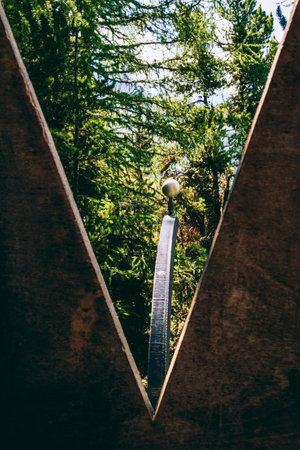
[(68, 379)]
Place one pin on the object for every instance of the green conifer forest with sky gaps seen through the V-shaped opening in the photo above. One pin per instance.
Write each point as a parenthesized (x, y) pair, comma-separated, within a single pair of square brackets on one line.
[(134, 92)]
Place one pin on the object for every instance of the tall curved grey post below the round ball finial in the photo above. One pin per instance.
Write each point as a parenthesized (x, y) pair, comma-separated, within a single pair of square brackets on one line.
[(159, 344)]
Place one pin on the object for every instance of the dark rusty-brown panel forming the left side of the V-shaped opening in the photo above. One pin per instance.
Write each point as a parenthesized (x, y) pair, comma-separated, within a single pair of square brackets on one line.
[(68, 379)]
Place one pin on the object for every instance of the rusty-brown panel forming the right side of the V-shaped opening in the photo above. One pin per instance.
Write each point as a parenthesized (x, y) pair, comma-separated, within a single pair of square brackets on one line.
[(236, 379)]
